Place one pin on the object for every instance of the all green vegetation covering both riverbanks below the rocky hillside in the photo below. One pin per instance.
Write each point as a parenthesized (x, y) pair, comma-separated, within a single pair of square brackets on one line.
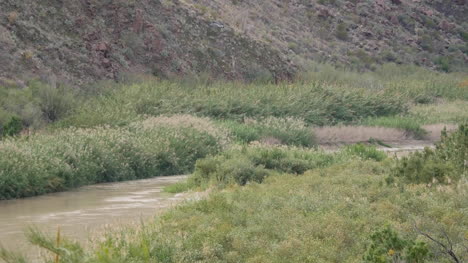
[(272, 194)]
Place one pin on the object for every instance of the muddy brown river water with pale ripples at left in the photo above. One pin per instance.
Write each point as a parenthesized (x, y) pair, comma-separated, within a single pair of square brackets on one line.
[(82, 211)]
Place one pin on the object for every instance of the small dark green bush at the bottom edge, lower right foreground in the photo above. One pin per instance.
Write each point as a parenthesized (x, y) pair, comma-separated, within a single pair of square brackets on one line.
[(387, 246)]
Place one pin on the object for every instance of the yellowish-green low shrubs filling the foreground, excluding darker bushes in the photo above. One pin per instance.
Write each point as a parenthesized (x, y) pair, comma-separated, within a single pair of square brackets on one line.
[(325, 215)]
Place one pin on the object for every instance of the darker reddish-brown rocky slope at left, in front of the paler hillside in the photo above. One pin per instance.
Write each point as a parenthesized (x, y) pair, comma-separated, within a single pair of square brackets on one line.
[(83, 41)]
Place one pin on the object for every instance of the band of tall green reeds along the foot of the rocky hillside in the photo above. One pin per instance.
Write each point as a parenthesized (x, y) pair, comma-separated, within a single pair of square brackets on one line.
[(392, 96)]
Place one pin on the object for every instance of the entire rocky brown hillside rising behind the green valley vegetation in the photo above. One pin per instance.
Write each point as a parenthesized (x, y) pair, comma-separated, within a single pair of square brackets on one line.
[(80, 41)]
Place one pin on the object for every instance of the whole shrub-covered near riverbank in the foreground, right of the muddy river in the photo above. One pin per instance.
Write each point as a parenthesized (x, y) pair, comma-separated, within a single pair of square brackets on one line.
[(270, 203)]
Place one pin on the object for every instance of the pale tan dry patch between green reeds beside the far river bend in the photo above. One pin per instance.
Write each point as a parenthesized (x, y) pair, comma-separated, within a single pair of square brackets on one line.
[(337, 135)]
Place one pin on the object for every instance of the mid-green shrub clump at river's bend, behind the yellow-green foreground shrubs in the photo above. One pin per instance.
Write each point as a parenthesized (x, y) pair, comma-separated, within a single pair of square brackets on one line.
[(254, 164)]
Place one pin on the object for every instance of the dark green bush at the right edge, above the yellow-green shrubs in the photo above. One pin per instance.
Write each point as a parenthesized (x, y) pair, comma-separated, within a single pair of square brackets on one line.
[(446, 163)]
